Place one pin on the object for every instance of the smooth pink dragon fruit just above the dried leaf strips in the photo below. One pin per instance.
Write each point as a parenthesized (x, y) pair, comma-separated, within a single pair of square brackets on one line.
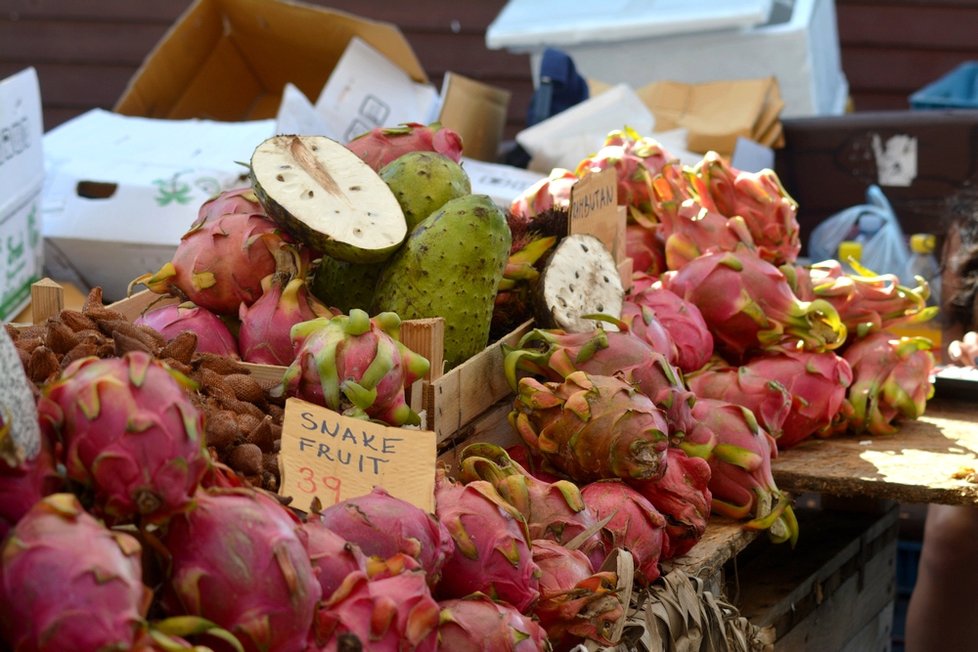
[(635, 525)]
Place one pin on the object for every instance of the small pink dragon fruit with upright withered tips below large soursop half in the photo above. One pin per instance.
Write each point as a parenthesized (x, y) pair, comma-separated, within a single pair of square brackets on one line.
[(264, 334)]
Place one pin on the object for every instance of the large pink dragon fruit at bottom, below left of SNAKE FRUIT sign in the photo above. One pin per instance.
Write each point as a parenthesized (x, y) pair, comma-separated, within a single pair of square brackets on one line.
[(245, 545)]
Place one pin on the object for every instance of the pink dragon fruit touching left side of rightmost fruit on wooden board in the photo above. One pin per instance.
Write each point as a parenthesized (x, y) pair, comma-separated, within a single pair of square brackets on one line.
[(817, 384)]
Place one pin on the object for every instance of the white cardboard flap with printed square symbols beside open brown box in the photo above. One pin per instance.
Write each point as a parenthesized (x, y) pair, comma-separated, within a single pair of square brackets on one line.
[(367, 90)]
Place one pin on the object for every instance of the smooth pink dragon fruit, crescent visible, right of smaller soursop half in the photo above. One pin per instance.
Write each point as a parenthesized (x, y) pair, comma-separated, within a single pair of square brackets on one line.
[(682, 320)]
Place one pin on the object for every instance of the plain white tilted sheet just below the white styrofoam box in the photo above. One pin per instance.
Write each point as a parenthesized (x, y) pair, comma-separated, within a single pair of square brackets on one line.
[(568, 137)]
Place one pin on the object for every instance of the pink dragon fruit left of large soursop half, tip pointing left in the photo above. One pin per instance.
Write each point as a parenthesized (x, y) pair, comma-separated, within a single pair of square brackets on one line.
[(220, 262)]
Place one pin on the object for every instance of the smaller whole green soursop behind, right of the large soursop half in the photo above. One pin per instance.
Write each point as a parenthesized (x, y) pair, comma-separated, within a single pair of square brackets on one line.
[(423, 181)]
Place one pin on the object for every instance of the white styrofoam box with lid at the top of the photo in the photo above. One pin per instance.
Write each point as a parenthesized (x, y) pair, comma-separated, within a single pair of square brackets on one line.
[(798, 44)]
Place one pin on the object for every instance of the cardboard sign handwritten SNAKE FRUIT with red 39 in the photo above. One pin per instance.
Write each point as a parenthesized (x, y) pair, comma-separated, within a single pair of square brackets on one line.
[(329, 456)]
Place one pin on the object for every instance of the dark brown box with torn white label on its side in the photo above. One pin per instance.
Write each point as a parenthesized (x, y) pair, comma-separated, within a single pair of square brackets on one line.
[(926, 163)]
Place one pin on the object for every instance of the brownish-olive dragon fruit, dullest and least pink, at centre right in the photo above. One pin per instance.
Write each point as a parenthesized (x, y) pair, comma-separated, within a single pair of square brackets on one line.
[(592, 427)]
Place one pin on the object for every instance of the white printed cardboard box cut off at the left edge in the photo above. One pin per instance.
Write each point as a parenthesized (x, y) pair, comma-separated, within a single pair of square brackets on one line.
[(21, 180)]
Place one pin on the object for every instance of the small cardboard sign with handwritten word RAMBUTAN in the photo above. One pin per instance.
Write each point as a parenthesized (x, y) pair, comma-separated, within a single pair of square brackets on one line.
[(594, 210)]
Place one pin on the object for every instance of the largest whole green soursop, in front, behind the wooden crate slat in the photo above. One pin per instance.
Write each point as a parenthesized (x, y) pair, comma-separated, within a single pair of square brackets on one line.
[(450, 266)]
